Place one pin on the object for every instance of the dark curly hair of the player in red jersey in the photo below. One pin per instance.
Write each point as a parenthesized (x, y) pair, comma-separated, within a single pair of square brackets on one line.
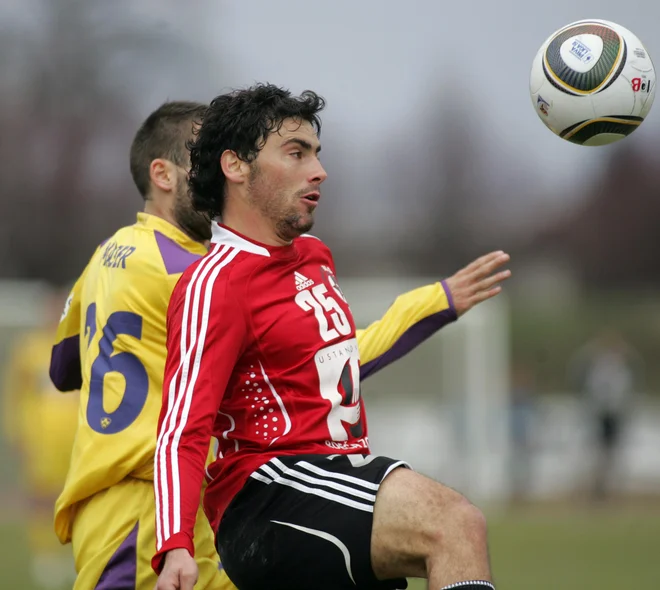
[(241, 121)]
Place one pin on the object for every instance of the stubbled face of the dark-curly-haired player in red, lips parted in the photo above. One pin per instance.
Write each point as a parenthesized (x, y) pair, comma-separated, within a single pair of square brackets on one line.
[(286, 177)]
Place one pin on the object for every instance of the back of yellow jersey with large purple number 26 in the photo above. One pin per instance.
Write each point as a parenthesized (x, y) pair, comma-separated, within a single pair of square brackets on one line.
[(111, 345)]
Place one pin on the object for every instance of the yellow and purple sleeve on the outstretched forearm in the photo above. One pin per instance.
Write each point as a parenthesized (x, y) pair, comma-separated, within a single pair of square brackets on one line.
[(412, 318)]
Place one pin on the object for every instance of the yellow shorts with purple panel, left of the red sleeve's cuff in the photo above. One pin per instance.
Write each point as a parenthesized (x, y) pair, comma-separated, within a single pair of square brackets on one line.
[(113, 538)]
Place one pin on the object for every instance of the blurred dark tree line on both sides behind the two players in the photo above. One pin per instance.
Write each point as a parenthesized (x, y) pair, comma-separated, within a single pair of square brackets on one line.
[(68, 120)]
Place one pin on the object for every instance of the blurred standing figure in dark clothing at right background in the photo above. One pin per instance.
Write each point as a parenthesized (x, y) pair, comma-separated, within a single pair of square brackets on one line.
[(608, 373)]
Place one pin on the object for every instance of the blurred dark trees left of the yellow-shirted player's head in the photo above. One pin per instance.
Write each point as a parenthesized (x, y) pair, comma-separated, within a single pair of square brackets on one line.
[(68, 114)]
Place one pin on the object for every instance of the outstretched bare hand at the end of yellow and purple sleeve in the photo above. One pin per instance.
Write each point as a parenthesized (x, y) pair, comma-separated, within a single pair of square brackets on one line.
[(478, 281)]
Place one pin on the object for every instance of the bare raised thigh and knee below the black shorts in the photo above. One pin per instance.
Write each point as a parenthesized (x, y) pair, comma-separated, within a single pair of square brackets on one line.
[(416, 517)]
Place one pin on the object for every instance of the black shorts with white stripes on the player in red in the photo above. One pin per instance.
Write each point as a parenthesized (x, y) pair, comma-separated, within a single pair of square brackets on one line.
[(304, 522)]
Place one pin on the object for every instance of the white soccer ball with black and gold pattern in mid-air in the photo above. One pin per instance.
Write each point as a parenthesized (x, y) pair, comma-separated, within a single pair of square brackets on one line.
[(592, 82)]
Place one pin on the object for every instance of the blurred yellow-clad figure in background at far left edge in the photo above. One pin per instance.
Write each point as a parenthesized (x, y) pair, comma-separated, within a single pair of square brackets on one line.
[(40, 425)]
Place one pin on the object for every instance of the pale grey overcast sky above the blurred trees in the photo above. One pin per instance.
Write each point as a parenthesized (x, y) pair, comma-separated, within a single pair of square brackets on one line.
[(384, 66)]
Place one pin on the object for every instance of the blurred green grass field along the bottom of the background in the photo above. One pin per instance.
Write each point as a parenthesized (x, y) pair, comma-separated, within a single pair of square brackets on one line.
[(534, 548)]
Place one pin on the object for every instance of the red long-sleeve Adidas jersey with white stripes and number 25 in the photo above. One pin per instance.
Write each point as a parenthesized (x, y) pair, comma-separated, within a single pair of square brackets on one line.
[(261, 355)]
